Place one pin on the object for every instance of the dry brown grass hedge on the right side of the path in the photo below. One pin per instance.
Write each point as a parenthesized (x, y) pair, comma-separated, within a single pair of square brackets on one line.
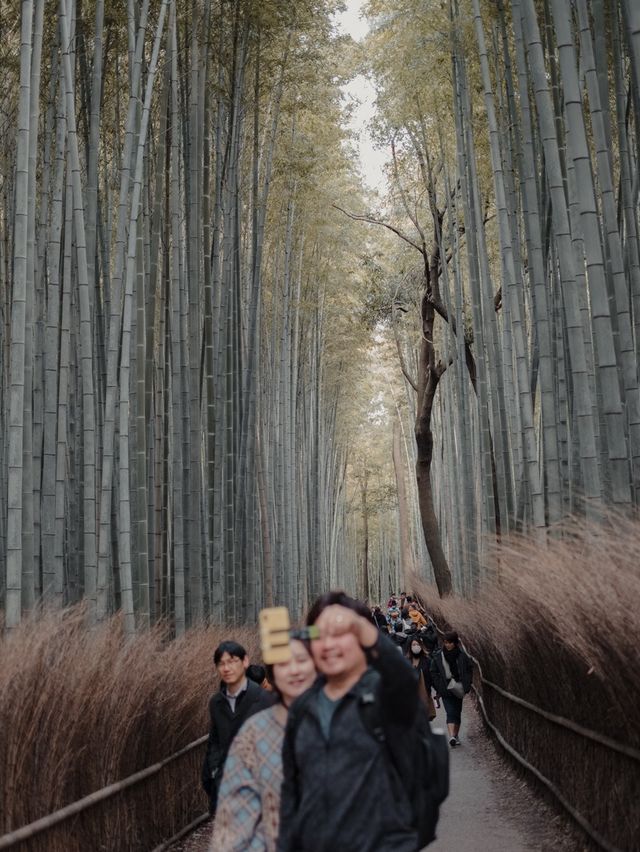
[(560, 628)]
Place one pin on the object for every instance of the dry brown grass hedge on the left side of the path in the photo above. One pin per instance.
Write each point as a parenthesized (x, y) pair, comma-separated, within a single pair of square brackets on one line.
[(80, 709)]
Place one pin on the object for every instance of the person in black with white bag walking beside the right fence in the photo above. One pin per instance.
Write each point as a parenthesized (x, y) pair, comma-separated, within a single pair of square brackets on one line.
[(451, 674)]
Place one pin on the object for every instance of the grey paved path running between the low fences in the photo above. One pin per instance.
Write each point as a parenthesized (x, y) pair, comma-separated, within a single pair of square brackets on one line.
[(489, 809)]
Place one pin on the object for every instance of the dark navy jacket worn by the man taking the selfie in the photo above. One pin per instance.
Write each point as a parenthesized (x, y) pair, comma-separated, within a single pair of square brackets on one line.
[(338, 794)]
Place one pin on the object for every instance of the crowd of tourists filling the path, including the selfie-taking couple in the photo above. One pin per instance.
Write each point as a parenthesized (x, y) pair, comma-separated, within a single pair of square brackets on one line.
[(331, 749)]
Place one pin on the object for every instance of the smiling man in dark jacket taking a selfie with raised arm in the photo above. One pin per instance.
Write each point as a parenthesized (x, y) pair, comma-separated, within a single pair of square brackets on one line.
[(338, 792)]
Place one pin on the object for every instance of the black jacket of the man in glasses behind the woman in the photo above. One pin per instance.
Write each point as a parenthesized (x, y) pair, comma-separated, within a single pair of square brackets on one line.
[(224, 725)]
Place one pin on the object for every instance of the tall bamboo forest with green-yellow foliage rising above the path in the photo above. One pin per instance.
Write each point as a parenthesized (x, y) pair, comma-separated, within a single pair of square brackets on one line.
[(236, 373)]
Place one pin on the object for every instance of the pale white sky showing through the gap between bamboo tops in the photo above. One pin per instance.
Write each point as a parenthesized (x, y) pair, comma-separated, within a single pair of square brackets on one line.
[(362, 93)]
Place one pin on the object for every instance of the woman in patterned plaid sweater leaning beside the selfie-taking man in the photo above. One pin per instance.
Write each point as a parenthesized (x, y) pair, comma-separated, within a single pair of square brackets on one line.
[(248, 813)]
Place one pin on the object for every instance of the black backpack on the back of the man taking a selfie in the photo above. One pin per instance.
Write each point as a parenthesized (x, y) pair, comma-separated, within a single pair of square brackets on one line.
[(424, 774)]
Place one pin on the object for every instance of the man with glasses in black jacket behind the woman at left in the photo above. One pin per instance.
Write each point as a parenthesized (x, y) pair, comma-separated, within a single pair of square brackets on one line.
[(237, 699)]
